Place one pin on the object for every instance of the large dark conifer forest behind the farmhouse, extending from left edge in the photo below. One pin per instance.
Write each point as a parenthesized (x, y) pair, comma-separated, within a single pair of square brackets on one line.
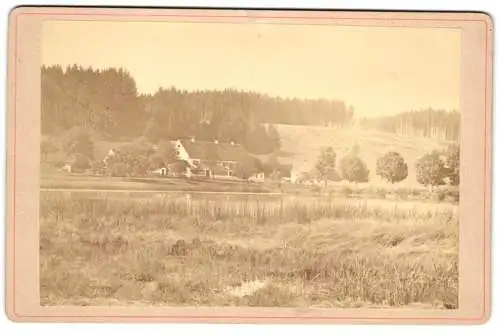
[(107, 102)]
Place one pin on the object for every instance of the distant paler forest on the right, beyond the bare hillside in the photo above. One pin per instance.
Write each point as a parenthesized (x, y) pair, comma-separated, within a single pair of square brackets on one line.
[(439, 124)]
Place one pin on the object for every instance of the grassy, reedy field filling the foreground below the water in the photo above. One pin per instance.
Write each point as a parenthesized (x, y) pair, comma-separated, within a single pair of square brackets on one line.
[(104, 249)]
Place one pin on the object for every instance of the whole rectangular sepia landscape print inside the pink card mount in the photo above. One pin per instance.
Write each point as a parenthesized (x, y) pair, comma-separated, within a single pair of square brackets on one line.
[(249, 164)]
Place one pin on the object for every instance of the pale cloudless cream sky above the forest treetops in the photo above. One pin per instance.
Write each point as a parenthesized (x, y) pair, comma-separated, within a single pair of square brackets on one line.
[(379, 71)]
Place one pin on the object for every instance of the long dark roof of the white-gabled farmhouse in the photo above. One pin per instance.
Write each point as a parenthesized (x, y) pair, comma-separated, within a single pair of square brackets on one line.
[(214, 151)]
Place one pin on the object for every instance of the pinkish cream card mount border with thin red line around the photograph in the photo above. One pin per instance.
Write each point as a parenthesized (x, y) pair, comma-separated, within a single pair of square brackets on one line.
[(23, 175)]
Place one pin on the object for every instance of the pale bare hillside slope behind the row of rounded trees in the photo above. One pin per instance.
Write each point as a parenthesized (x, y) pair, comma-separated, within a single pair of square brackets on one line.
[(306, 142)]
